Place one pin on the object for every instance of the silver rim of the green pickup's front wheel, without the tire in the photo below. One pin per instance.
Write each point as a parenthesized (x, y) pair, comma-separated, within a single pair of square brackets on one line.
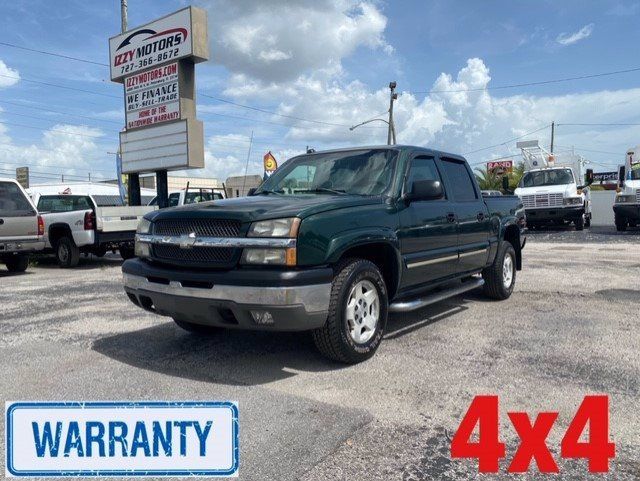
[(362, 311)]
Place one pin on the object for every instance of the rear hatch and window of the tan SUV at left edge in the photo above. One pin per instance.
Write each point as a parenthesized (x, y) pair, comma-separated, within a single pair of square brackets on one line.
[(18, 218)]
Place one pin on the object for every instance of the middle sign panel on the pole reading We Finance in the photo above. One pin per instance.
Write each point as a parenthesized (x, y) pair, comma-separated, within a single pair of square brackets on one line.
[(152, 96)]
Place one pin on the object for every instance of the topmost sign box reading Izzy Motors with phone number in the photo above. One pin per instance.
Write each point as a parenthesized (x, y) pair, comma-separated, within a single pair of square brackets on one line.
[(179, 35)]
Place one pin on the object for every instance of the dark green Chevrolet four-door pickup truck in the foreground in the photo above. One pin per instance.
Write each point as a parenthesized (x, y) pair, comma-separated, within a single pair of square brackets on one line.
[(331, 243)]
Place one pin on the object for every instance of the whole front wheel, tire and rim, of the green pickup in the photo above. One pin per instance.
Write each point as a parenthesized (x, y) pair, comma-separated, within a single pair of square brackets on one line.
[(357, 313)]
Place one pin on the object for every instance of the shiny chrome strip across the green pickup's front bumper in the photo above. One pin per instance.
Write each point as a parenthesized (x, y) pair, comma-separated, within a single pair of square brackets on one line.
[(314, 298)]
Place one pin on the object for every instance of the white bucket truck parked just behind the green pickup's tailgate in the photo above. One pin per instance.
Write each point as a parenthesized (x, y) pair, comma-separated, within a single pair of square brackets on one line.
[(553, 188)]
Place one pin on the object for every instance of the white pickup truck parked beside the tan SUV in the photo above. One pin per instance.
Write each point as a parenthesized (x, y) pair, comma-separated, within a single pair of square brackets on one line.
[(80, 222)]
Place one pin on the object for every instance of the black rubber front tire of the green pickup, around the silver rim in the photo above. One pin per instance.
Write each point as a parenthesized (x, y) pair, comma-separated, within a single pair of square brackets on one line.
[(334, 340)]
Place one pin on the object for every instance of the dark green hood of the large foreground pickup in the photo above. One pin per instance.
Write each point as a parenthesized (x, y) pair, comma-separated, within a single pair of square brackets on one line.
[(261, 207)]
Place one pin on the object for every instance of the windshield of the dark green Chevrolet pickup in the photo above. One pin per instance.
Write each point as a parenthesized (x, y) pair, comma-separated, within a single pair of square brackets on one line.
[(356, 172)]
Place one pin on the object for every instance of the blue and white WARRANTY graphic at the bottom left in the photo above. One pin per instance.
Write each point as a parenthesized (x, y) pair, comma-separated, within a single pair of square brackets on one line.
[(177, 439)]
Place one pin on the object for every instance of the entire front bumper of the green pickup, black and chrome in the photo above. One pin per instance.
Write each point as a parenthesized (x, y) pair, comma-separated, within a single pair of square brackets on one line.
[(296, 300)]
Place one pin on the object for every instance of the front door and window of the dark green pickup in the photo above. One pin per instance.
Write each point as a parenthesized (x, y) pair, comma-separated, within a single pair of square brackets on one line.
[(428, 237)]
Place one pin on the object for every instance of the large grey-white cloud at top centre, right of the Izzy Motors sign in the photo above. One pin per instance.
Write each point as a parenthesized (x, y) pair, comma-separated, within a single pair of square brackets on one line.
[(280, 40)]
